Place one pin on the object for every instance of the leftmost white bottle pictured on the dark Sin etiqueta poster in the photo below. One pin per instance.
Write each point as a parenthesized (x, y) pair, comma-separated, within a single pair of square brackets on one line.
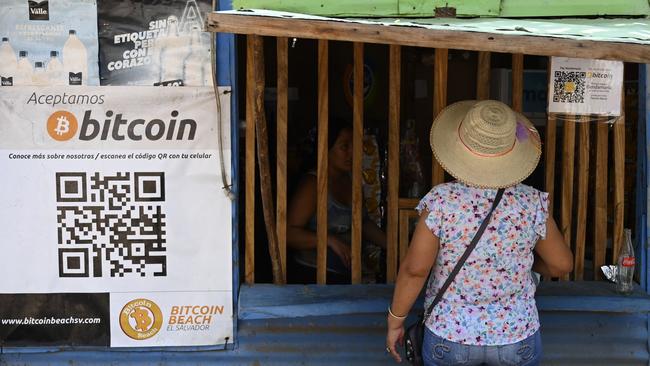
[(173, 53)]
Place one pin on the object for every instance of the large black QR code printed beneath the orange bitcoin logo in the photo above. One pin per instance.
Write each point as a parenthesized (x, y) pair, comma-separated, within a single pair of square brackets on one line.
[(111, 225)]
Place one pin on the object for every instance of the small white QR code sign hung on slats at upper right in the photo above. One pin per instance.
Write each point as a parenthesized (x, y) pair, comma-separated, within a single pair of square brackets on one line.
[(583, 86)]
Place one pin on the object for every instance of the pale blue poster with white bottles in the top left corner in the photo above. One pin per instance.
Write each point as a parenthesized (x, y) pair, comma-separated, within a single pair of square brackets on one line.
[(48, 42)]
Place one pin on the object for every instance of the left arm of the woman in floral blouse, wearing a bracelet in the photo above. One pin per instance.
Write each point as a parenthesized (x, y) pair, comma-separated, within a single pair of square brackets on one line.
[(412, 275)]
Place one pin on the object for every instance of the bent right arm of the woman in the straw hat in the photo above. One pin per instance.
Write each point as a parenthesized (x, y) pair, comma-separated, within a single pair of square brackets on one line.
[(553, 258)]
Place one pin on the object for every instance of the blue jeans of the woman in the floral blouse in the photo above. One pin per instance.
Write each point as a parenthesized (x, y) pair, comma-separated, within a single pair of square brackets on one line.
[(438, 351)]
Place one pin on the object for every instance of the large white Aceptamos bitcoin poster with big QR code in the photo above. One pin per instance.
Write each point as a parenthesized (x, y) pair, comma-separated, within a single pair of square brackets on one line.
[(113, 206)]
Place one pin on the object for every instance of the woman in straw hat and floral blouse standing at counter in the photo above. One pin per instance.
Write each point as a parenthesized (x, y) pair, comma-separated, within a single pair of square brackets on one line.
[(487, 314)]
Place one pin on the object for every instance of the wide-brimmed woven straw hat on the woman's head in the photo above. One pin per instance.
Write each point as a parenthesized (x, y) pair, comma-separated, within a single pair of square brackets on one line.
[(485, 144)]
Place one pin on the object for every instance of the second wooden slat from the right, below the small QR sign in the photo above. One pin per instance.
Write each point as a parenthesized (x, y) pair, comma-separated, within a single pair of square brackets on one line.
[(600, 196)]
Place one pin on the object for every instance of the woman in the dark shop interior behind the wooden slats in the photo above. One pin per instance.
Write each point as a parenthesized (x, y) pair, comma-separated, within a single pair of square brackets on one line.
[(301, 215)]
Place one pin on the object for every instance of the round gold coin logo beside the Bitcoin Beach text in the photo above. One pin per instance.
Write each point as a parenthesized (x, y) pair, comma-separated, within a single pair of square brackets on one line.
[(141, 319)]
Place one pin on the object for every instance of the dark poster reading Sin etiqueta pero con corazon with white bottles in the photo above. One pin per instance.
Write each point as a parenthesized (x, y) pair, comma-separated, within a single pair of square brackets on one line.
[(157, 43)]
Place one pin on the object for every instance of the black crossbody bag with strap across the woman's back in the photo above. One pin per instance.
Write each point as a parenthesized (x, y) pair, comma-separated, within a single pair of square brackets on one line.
[(414, 337)]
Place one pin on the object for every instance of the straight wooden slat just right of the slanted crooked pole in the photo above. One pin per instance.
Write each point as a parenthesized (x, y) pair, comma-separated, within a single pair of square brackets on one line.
[(281, 154)]
